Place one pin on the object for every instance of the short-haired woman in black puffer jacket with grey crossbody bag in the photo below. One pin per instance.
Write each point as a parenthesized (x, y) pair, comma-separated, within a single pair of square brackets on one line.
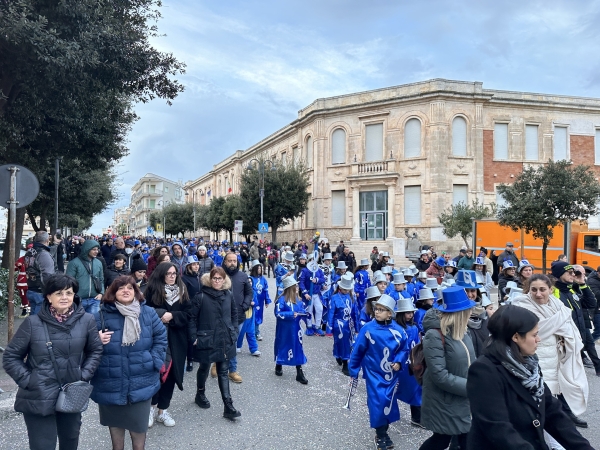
[(77, 350)]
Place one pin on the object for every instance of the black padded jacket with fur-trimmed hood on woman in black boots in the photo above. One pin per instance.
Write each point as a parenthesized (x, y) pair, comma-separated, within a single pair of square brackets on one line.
[(215, 320)]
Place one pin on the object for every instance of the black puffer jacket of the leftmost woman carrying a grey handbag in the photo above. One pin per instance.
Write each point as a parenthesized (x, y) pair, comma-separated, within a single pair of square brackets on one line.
[(77, 349)]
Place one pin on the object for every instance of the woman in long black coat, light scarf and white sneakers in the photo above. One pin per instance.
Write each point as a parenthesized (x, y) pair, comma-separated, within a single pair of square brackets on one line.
[(166, 293)]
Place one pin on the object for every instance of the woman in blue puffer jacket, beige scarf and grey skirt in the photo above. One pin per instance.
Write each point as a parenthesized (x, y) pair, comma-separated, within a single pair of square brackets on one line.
[(134, 351)]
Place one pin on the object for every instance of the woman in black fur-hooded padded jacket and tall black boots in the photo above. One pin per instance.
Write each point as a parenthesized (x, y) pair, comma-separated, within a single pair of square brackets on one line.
[(215, 318)]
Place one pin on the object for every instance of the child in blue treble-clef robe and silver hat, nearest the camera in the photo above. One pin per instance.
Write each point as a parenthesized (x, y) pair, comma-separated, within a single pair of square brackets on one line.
[(381, 349)]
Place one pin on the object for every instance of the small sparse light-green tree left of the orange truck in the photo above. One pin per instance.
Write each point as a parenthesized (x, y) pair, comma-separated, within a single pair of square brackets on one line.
[(458, 219)]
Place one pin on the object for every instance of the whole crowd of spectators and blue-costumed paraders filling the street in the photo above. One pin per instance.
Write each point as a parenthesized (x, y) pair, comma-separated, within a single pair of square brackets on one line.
[(132, 316)]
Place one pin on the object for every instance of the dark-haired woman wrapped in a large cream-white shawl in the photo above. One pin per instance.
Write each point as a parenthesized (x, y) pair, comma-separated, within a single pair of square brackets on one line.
[(559, 352)]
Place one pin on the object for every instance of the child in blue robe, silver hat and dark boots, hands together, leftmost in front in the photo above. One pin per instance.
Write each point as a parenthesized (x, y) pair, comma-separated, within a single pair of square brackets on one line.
[(289, 311)]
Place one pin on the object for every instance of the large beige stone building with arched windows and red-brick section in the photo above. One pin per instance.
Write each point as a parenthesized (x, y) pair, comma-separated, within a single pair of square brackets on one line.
[(384, 164)]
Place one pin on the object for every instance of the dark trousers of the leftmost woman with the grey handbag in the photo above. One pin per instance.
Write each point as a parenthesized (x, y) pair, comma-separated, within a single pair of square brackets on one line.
[(43, 431)]
